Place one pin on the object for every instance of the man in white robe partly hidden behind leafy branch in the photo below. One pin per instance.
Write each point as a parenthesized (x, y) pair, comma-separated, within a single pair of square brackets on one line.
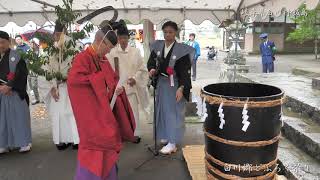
[(64, 127)]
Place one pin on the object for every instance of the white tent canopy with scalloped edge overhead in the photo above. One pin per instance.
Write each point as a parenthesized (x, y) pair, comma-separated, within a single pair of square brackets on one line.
[(22, 11)]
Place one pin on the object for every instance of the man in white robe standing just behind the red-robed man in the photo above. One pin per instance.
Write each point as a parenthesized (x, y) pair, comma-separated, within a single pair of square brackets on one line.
[(132, 71)]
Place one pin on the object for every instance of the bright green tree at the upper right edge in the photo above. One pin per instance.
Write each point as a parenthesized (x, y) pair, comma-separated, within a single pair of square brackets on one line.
[(308, 27)]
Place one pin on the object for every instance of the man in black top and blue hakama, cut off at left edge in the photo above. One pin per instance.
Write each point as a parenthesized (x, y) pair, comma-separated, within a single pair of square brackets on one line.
[(15, 130)]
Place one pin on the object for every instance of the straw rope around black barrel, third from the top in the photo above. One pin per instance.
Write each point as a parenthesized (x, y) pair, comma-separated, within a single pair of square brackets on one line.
[(241, 167)]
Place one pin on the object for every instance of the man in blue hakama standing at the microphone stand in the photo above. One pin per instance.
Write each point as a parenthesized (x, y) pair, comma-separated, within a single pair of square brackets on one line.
[(170, 62)]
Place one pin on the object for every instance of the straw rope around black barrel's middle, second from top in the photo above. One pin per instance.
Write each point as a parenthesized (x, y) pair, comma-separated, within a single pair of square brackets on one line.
[(242, 143)]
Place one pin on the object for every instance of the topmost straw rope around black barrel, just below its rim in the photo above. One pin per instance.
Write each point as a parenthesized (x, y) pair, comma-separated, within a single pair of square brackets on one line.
[(239, 103)]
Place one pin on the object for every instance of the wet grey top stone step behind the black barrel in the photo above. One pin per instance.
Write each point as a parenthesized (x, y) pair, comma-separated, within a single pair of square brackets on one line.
[(300, 96)]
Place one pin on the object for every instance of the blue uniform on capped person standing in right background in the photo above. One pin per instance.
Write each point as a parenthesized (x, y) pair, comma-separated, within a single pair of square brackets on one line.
[(267, 56)]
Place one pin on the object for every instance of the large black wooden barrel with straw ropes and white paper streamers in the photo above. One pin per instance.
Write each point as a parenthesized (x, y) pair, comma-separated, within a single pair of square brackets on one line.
[(242, 130)]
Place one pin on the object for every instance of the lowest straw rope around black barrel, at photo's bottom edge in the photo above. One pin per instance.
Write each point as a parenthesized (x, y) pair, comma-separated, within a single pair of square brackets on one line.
[(228, 176)]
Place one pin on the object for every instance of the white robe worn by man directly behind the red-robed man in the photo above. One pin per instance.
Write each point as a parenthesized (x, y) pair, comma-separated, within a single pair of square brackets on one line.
[(131, 65)]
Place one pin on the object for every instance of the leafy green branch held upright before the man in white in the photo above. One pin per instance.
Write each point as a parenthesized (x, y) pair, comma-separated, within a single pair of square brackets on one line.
[(67, 17)]
